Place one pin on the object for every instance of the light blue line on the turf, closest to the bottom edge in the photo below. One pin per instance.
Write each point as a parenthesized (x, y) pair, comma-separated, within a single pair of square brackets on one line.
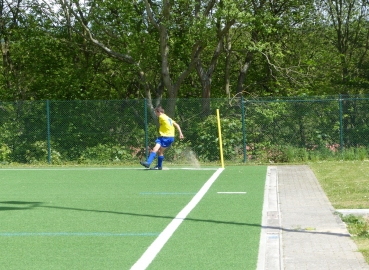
[(52, 234)]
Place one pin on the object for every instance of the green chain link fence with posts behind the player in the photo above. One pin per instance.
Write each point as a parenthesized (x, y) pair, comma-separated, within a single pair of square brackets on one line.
[(123, 131)]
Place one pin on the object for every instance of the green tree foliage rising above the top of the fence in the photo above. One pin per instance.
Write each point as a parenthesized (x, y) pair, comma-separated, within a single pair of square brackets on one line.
[(295, 50)]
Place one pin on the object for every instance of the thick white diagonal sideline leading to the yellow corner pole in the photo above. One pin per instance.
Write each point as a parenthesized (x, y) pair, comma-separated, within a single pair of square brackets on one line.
[(164, 236)]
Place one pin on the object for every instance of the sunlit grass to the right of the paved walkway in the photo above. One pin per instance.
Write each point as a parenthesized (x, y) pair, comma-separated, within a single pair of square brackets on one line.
[(346, 184)]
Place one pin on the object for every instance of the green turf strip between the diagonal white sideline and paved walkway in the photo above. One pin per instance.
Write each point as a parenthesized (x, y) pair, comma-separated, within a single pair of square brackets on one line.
[(223, 231)]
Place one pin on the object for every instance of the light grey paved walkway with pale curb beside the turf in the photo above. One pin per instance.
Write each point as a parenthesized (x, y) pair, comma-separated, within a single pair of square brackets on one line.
[(300, 230)]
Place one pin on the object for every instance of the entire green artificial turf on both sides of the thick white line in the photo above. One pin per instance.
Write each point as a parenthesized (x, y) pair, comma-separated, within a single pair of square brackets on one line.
[(107, 218)]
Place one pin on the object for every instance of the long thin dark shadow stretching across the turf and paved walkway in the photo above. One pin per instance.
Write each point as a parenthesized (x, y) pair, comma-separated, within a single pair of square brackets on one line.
[(20, 205)]
